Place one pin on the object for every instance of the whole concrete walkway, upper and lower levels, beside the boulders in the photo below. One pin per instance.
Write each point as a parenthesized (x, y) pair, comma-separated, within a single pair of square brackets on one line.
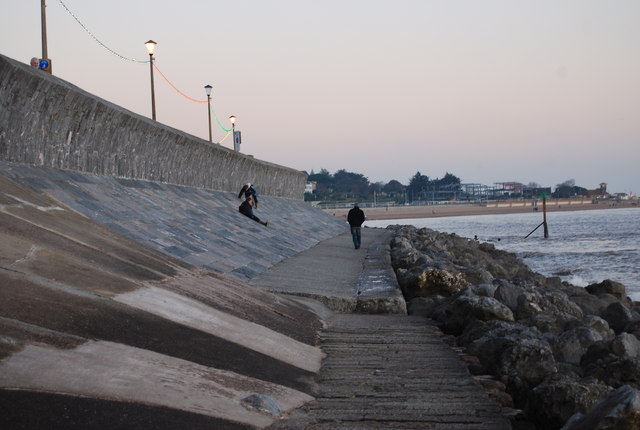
[(382, 371)]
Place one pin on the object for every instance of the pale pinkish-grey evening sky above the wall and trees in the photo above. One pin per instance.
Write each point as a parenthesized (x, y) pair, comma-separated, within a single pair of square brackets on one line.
[(530, 91)]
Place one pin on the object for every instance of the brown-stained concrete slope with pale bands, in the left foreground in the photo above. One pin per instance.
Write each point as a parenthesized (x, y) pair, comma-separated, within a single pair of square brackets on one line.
[(92, 321)]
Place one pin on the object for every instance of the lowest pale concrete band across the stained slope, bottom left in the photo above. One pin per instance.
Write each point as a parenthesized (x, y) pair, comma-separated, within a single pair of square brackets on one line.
[(108, 370)]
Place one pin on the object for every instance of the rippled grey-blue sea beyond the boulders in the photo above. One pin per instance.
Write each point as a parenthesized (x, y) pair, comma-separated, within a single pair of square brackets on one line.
[(583, 247)]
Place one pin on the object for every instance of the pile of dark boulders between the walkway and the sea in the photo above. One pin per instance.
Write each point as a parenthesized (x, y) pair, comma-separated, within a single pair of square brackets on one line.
[(569, 356)]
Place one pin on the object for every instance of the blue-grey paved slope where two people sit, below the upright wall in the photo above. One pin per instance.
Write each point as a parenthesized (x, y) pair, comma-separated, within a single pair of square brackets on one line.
[(201, 227)]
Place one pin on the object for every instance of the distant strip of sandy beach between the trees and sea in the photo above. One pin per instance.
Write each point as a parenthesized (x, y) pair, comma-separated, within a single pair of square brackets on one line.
[(473, 209)]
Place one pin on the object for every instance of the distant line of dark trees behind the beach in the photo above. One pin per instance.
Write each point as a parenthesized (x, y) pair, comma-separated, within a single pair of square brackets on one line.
[(345, 186)]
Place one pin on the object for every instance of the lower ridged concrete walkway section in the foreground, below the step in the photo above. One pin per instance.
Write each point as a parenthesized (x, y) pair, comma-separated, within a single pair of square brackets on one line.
[(392, 372)]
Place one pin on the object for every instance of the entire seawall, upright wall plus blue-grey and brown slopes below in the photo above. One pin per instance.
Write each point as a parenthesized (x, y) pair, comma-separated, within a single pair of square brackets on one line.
[(122, 255)]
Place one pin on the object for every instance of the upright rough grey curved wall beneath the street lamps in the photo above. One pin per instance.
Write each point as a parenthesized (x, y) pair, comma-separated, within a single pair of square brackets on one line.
[(46, 121)]
